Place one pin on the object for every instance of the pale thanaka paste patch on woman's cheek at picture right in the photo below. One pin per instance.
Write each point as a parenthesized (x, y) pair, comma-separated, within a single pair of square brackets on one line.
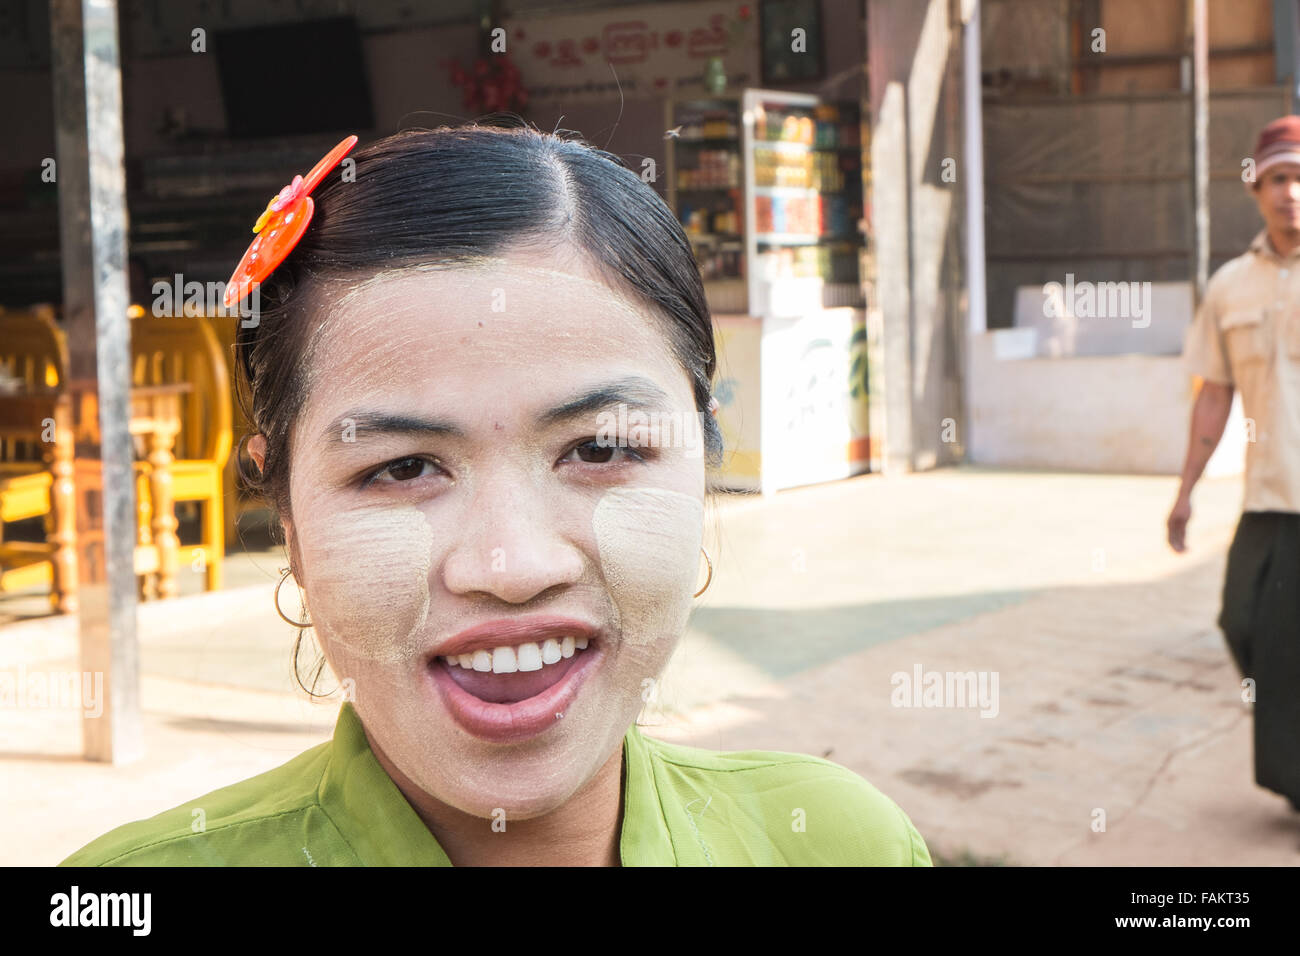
[(649, 547)]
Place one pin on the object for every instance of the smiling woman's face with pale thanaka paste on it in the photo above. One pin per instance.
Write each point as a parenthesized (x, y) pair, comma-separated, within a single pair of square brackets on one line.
[(457, 492)]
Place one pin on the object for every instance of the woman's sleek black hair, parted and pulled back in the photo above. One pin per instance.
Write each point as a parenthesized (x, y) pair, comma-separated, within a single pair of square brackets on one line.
[(461, 193)]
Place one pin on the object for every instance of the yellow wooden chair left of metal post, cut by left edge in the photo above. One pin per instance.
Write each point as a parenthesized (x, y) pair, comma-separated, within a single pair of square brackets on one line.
[(34, 352)]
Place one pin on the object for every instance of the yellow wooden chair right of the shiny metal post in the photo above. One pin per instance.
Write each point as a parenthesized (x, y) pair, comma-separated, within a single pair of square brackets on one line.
[(184, 349)]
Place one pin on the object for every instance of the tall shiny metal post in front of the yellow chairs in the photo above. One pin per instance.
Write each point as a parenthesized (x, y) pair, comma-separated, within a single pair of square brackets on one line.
[(93, 243)]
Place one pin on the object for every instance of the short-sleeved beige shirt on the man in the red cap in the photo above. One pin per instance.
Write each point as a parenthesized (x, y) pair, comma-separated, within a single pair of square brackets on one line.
[(1247, 335)]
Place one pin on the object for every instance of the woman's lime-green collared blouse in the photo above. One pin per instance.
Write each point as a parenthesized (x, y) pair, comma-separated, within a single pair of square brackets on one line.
[(335, 806)]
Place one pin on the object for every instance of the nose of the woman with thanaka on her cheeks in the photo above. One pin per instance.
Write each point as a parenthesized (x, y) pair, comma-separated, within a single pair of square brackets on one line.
[(512, 544)]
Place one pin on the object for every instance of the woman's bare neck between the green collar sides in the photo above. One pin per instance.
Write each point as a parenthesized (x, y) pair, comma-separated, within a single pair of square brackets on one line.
[(583, 833)]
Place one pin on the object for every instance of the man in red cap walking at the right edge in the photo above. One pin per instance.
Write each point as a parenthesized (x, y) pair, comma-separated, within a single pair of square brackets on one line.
[(1247, 336)]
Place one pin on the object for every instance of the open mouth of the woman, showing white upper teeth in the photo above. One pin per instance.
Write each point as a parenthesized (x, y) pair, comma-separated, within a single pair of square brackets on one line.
[(518, 691)]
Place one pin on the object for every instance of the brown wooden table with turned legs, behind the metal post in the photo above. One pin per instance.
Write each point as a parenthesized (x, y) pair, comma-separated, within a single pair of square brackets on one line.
[(77, 488)]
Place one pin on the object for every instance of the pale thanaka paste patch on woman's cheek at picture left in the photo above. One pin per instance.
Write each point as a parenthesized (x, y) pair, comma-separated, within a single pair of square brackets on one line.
[(369, 581)]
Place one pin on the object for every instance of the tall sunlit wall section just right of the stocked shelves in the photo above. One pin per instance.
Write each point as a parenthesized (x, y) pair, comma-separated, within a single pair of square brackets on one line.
[(915, 63)]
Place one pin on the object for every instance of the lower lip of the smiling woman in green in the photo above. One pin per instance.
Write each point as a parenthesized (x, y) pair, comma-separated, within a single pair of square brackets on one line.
[(502, 724)]
